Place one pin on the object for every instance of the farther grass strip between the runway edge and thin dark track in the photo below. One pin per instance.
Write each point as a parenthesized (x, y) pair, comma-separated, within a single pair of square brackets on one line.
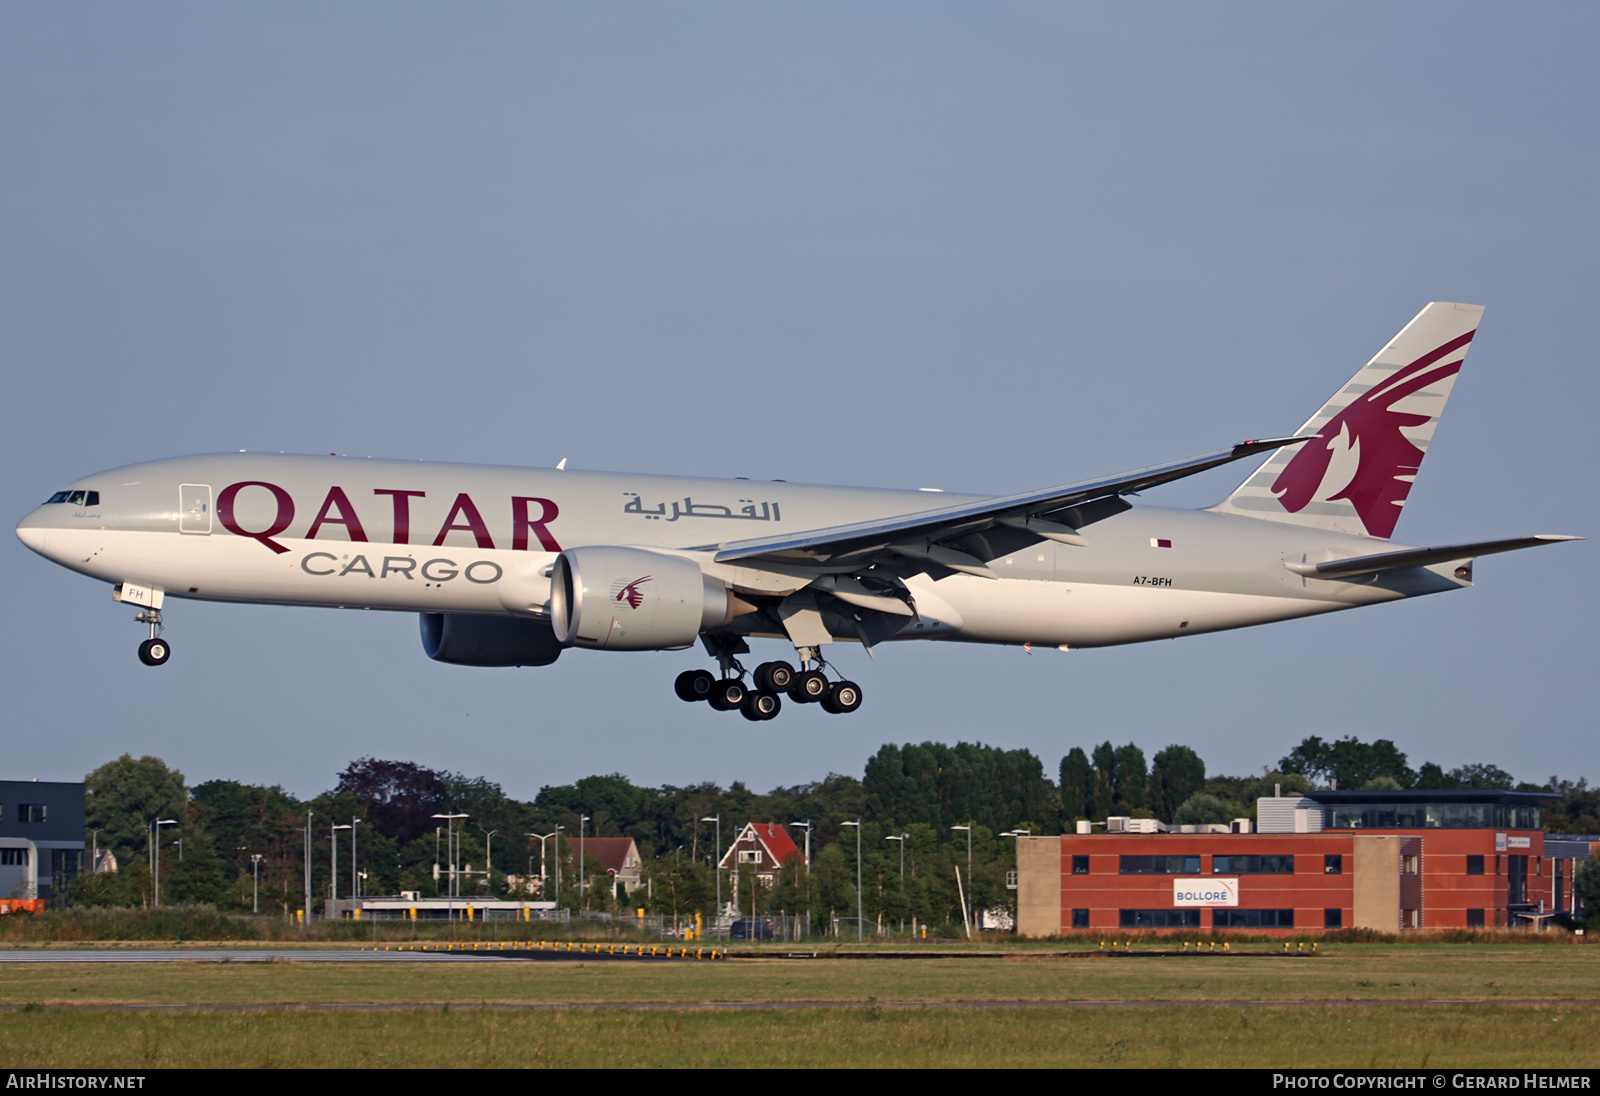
[(1358, 974)]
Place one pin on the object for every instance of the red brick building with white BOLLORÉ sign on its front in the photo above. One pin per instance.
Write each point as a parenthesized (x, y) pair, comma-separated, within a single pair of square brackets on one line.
[(1390, 862)]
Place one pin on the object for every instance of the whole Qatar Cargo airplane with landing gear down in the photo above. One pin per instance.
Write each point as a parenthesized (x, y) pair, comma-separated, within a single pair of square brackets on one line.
[(510, 567)]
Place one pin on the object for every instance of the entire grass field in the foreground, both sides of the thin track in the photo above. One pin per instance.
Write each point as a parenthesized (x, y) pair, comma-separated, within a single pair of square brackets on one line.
[(892, 1014)]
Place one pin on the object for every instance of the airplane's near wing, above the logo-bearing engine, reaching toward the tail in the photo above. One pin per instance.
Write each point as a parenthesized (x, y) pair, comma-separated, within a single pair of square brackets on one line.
[(962, 537)]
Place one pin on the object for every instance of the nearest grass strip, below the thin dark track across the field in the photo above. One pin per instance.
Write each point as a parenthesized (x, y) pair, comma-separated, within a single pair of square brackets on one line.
[(1401, 1036)]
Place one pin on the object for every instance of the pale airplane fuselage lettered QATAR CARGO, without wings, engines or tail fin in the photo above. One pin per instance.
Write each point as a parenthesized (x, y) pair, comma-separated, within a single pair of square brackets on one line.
[(479, 540)]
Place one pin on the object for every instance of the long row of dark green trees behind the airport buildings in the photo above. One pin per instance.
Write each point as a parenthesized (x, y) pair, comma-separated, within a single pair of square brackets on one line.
[(242, 846)]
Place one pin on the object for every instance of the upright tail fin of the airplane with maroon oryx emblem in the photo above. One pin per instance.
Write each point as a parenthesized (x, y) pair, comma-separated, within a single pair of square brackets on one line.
[(1370, 438)]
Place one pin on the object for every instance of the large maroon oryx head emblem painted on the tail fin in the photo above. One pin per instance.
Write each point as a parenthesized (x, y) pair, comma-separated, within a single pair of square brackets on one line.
[(1370, 447)]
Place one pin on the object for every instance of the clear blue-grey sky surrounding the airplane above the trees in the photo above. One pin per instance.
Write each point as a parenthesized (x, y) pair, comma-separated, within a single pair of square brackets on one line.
[(983, 247)]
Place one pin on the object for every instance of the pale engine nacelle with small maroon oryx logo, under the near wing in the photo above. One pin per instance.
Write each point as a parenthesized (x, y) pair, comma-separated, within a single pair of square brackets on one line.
[(622, 599)]
